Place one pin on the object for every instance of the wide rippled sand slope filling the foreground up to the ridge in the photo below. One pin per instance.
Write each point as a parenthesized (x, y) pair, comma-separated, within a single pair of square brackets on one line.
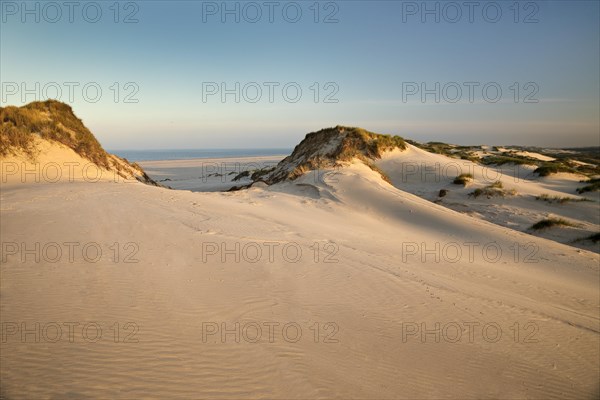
[(379, 287)]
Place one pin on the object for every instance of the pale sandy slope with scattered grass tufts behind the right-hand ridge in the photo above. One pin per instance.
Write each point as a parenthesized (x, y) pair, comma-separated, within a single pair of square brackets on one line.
[(425, 174)]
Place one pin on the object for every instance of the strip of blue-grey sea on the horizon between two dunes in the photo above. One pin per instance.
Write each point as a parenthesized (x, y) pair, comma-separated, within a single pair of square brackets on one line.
[(188, 154)]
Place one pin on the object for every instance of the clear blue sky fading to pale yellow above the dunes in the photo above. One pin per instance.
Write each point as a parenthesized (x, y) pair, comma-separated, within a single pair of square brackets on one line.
[(374, 58)]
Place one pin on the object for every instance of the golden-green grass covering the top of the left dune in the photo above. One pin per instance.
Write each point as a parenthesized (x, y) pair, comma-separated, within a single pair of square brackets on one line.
[(50, 120)]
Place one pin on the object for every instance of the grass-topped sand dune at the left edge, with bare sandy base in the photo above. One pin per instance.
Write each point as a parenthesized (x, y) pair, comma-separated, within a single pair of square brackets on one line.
[(46, 142)]
